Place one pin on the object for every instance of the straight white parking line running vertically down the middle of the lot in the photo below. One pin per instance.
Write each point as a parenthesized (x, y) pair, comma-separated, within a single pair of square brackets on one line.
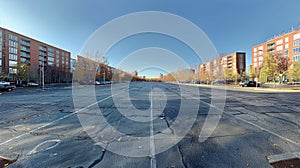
[(152, 143)]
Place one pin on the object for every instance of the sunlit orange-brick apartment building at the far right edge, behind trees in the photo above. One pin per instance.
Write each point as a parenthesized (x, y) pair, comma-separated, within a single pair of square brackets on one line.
[(286, 45)]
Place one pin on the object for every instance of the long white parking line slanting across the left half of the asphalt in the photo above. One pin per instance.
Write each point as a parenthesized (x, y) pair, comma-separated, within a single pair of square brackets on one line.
[(61, 118)]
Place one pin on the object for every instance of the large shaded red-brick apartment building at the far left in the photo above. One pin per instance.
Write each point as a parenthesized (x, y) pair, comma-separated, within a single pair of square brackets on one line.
[(43, 59)]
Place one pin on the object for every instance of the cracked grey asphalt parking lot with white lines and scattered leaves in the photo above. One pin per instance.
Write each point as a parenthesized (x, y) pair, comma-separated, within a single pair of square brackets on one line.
[(144, 124)]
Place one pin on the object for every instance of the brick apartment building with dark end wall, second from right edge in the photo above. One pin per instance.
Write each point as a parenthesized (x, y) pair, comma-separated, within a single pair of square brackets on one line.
[(215, 69)]
